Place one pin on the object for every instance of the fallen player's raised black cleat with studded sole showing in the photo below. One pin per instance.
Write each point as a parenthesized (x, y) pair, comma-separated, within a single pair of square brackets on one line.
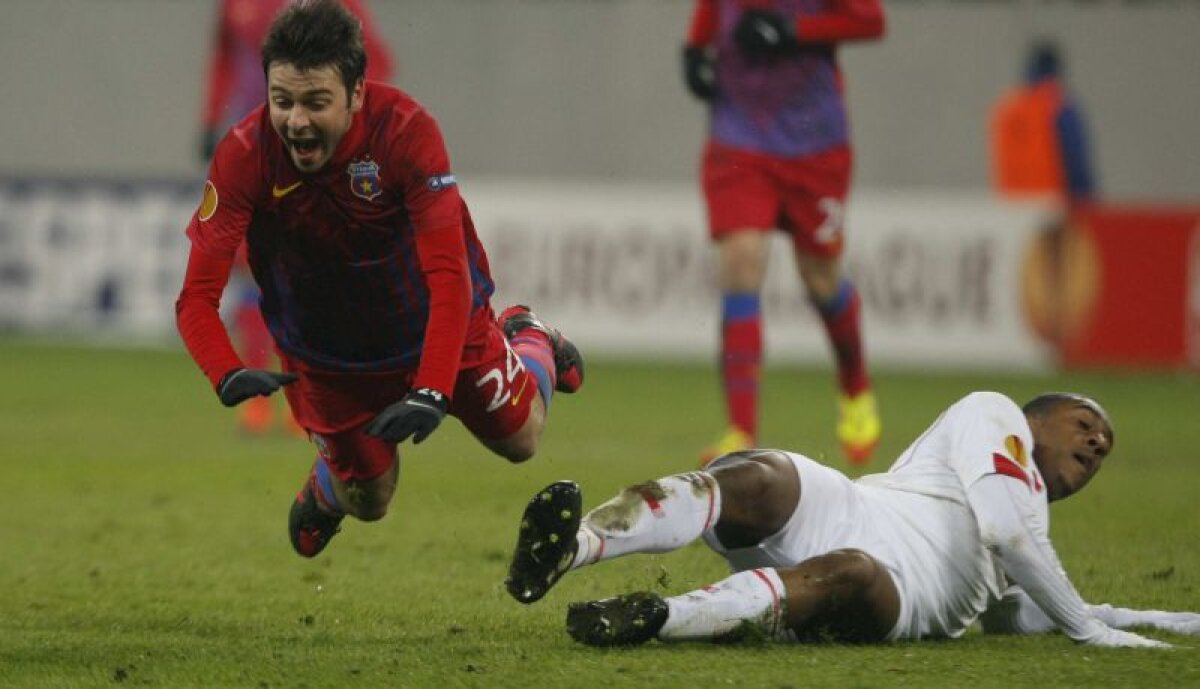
[(547, 542)]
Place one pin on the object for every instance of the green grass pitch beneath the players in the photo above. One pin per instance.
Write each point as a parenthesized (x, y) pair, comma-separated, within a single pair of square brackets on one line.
[(143, 541)]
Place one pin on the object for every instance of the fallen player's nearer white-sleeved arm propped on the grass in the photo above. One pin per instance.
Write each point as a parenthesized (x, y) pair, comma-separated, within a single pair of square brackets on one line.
[(1030, 561)]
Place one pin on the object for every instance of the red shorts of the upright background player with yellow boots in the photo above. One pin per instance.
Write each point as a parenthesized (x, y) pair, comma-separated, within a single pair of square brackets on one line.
[(805, 197)]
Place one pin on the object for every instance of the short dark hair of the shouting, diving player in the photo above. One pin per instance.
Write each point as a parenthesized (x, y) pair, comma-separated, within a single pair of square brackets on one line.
[(311, 34)]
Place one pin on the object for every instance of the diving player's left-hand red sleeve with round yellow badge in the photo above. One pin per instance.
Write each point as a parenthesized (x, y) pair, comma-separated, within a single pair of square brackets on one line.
[(217, 231)]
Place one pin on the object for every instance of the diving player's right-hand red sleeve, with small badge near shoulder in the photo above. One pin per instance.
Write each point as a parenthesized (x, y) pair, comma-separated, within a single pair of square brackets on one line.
[(436, 211)]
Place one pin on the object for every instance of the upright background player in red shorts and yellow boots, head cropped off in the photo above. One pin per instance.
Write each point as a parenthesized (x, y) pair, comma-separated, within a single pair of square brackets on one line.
[(779, 158)]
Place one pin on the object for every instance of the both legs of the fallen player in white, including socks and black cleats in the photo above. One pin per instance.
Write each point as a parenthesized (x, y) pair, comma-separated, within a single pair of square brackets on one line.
[(844, 595)]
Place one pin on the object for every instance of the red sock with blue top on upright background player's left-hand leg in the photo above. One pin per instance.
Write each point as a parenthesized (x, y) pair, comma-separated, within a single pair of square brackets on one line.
[(742, 360)]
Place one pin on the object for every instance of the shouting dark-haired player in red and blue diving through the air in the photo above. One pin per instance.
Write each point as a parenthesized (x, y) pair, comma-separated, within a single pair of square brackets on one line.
[(376, 289)]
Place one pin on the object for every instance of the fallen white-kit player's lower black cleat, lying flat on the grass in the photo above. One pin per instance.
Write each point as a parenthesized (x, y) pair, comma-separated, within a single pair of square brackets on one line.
[(627, 620)]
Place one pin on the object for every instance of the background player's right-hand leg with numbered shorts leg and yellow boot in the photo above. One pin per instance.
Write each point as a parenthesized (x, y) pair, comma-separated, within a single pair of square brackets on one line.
[(815, 215)]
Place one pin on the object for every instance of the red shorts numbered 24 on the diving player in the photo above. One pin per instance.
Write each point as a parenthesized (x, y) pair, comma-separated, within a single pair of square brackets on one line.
[(491, 398)]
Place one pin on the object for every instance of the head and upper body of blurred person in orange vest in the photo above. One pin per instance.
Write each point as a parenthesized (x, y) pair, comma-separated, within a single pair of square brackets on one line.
[(1040, 146)]
